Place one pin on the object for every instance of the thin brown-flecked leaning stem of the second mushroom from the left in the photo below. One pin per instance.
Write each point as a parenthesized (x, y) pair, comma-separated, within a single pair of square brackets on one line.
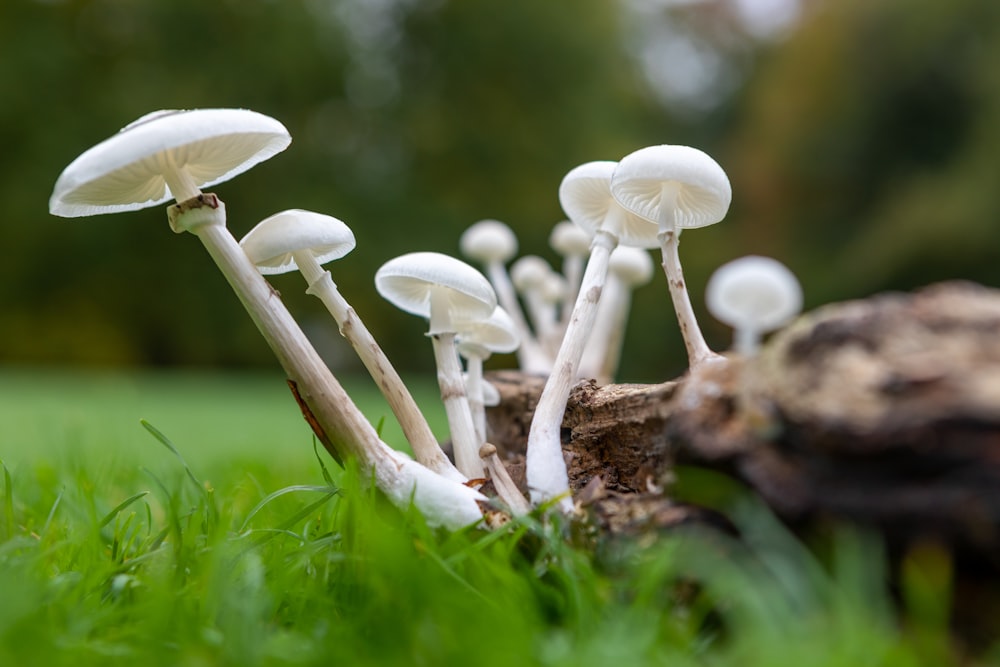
[(415, 428)]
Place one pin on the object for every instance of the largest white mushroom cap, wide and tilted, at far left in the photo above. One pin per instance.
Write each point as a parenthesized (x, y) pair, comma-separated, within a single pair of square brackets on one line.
[(125, 171)]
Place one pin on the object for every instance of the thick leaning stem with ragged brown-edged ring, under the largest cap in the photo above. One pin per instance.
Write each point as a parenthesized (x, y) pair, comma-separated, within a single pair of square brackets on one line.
[(335, 418)]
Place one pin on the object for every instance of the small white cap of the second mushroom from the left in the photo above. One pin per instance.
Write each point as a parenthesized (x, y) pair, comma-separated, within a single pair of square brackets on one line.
[(271, 243)]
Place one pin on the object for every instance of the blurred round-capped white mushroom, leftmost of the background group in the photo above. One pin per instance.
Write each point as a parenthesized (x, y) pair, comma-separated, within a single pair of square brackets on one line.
[(492, 243)]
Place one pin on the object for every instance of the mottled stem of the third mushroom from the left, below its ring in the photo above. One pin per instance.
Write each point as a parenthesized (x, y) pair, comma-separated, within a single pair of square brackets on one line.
[(456, 405)]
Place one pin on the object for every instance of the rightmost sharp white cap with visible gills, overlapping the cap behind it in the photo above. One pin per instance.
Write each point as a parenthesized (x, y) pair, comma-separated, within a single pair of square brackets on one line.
[(703, 194)]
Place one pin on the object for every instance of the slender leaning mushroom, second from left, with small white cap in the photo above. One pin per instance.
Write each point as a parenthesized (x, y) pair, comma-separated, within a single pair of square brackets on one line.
[(305, 241)]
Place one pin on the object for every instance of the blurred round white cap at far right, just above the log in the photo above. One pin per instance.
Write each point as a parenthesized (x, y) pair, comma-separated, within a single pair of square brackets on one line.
[(755, 293)]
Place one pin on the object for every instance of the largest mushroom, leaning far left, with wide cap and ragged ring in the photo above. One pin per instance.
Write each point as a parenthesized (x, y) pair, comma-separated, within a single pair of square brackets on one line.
[(171, 154)]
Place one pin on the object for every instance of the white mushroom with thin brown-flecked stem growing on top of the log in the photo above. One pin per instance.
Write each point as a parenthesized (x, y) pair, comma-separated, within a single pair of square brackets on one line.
[(677, 187)]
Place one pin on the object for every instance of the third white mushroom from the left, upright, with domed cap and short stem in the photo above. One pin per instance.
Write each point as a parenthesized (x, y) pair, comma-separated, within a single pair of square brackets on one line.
[(446, 291)]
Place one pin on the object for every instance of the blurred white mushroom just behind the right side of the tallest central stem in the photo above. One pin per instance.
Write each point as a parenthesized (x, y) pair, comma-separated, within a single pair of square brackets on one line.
[(628, 268)]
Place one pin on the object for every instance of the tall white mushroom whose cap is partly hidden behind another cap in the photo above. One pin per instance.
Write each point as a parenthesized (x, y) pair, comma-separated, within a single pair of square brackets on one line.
[(585, 195)]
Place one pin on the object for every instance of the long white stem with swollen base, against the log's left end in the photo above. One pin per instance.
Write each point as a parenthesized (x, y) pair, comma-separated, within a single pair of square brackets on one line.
[(545, 466)]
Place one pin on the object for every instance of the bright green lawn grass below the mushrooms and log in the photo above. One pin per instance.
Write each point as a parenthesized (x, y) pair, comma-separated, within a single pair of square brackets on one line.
[(217, 535)]
